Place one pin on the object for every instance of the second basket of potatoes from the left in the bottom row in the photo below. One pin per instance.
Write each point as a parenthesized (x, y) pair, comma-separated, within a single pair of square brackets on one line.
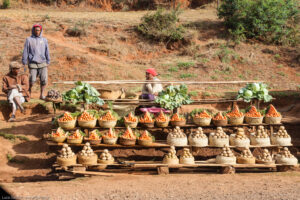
[(87, 156)]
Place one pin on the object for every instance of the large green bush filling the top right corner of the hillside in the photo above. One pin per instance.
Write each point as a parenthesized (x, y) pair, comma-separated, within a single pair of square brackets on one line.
[(272, 21)]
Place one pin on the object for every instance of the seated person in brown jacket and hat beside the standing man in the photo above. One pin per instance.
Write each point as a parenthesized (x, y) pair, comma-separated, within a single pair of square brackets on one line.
[(15, 86)]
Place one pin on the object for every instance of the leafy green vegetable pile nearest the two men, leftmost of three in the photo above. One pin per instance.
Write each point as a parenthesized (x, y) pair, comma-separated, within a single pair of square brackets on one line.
[(83, 92)]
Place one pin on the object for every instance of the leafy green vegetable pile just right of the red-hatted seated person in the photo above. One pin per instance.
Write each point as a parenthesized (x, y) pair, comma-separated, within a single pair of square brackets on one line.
[(173, 97)]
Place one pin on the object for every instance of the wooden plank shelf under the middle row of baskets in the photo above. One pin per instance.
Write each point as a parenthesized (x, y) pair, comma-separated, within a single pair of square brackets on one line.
[(156, 144)]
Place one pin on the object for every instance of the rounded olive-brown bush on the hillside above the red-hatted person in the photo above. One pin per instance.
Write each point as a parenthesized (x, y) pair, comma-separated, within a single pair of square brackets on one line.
[(162, 26)]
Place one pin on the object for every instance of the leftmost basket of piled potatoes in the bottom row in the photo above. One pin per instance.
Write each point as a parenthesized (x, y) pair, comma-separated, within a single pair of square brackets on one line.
[(67, 157)]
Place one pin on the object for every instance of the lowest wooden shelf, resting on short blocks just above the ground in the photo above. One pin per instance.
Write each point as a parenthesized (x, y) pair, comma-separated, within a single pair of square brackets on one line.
[(164, 168)]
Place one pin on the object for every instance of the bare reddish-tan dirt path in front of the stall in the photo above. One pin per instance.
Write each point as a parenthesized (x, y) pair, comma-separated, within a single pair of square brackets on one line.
[(183, 186)]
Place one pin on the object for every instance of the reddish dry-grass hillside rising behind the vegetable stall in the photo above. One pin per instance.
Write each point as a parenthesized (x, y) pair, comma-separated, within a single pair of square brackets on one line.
[(104, 46)]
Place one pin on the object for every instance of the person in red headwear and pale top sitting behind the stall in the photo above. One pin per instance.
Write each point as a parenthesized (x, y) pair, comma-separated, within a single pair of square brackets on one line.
[(150, 90)]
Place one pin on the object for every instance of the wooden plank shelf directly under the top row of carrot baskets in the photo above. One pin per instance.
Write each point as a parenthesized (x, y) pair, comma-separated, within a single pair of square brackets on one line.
[(182, 127)]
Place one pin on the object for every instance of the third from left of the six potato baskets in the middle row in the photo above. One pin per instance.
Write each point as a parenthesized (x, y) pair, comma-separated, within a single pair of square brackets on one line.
[(219, 138)]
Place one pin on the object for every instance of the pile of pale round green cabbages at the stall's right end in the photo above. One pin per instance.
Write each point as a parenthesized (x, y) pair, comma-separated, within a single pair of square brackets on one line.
[(254, 91)]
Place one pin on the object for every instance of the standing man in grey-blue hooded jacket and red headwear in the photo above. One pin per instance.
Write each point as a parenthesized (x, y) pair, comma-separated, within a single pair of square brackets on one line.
[(36, 55)]
